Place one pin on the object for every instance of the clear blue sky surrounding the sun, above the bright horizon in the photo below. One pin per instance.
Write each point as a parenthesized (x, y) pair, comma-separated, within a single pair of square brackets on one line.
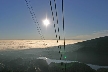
[(84, 19)]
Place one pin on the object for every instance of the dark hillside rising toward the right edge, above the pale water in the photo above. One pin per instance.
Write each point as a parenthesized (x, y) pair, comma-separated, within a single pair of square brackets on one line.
[(93, 51)]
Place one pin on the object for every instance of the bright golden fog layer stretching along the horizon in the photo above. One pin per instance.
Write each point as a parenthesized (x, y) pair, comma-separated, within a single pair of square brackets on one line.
[(27, 44)]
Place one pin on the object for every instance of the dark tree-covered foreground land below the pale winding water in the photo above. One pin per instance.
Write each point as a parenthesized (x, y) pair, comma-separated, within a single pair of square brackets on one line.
[(39, 65)]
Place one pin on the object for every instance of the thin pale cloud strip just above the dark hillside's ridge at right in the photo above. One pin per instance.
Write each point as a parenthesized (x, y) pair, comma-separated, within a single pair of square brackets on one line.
[(92, 36)]
